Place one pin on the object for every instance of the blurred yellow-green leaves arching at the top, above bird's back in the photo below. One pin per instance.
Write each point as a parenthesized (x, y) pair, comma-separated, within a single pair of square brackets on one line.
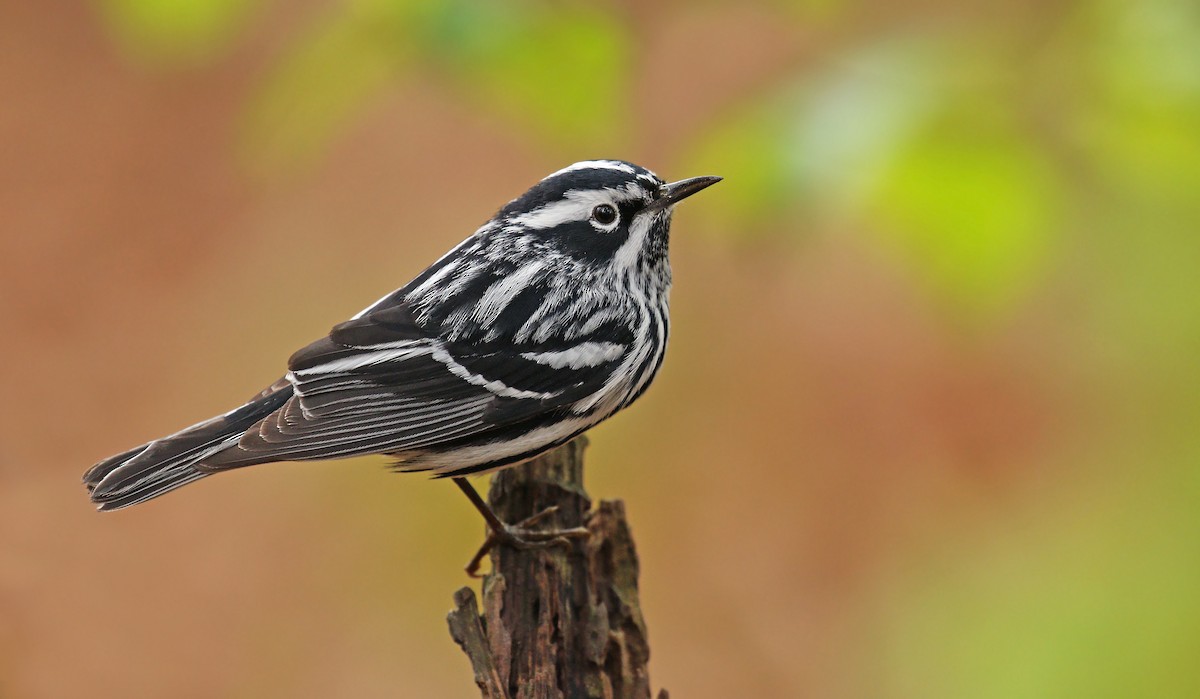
[(561, 73)]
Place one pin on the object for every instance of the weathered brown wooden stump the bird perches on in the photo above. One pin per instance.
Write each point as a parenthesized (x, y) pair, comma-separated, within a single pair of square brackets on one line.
[(560, 623)]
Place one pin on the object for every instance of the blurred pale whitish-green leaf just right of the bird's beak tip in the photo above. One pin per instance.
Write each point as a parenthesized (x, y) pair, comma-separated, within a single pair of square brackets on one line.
[(817, 146)]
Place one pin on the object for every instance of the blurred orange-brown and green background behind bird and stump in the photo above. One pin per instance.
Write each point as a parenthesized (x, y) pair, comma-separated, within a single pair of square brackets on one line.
[(929, 422)]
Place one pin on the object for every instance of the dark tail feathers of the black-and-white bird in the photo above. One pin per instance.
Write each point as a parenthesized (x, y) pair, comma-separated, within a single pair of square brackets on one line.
[(164, 465)]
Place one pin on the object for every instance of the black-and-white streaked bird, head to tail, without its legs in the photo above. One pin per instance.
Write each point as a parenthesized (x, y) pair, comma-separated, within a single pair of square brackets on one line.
[(548, 320)]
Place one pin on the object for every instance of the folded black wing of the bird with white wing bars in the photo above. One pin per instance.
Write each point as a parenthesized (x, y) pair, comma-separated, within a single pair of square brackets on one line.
[(381, 384)]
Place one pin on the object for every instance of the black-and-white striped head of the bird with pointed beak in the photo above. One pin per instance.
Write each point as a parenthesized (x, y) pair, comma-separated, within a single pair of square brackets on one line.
[(602, 213)]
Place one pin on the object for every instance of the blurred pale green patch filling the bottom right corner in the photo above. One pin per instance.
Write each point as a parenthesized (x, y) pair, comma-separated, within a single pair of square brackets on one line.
[(1089, 594)]
